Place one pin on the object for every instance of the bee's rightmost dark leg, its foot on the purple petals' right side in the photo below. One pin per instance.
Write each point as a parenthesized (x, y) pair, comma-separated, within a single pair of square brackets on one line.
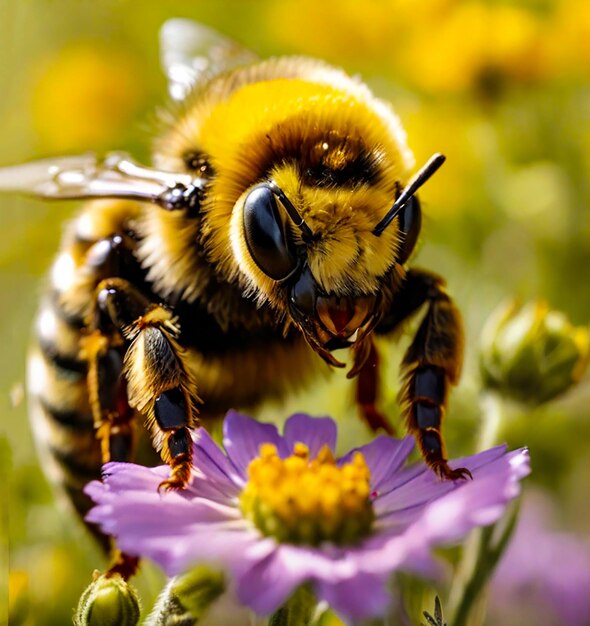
[(431, 364)]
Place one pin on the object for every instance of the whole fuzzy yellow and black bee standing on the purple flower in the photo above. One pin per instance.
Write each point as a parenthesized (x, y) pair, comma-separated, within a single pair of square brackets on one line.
[(274, 228)]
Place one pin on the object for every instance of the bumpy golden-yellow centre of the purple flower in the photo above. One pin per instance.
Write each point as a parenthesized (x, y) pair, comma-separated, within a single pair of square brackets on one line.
[(308, 501)]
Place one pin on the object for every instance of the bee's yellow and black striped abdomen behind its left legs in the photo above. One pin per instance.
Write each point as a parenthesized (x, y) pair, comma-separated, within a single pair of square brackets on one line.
[(59, 406)]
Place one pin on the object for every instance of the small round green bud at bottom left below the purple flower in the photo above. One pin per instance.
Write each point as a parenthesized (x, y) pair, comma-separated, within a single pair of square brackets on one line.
[(108, 601)]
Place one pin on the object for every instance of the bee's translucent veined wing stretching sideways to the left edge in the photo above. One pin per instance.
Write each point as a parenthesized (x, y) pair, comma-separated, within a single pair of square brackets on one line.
[(115, 176)]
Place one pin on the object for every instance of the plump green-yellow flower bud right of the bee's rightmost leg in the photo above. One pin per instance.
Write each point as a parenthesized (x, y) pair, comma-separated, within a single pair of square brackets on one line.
[(532, 354)]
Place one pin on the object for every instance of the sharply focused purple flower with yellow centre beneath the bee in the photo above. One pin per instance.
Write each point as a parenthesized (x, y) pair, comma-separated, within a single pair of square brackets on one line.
[(278, 511)]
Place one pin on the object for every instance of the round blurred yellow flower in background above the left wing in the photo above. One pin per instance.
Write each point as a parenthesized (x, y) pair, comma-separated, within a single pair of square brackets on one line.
[(84, 97)]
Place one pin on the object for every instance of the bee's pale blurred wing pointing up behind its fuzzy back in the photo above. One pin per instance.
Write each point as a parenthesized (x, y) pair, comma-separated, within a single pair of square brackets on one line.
[(191, 52)]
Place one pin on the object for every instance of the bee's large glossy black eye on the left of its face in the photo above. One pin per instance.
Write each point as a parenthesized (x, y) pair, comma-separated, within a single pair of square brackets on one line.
[(266, 236)]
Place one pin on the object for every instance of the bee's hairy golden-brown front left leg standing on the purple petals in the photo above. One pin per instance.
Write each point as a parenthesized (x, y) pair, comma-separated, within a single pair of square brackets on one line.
[(159, 384)]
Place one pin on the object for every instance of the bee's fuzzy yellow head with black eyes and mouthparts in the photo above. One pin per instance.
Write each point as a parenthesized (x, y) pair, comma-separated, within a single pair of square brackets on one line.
[(320, 254)]
